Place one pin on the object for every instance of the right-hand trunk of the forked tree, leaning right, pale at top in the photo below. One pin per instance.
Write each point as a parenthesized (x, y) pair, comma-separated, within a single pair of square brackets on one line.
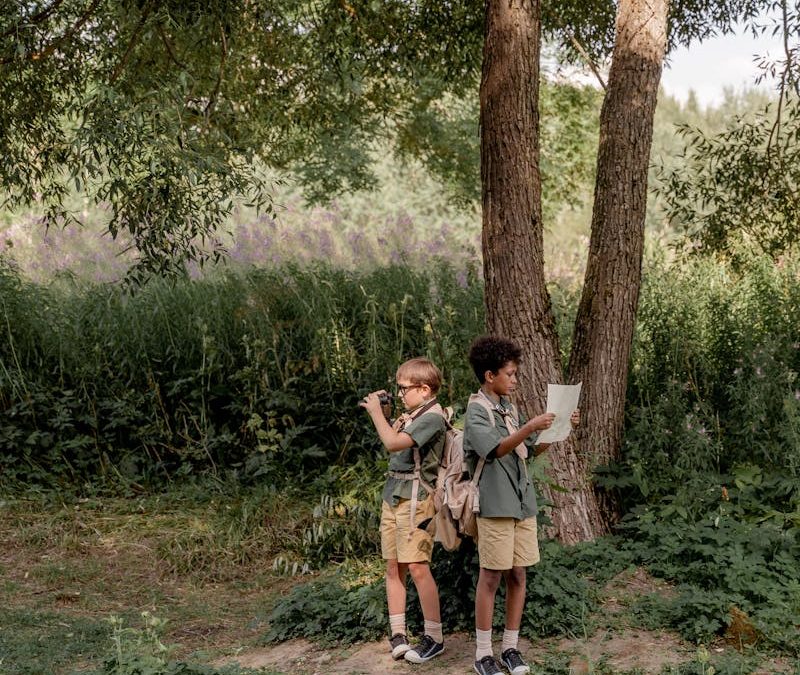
[(607, 312)]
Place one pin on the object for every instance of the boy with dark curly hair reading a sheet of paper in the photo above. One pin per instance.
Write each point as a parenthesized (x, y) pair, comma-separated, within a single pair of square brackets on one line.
[(498, 449)]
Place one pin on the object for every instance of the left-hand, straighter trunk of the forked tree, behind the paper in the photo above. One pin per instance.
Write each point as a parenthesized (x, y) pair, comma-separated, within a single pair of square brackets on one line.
[(517, 302)]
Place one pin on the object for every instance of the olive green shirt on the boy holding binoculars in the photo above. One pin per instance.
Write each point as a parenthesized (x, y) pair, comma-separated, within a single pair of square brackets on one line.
[(427, 432)]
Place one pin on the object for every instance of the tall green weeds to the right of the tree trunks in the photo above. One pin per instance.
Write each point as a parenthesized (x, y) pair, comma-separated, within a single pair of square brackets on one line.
[(714, 370)]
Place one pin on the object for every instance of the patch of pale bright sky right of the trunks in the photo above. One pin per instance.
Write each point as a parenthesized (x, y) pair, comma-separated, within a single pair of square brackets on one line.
[(711, 66)]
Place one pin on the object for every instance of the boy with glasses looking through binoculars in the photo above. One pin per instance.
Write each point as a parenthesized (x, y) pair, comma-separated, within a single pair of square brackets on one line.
[(415, 442)]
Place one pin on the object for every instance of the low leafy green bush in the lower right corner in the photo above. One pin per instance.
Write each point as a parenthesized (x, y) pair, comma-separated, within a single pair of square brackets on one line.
[(726, 550)]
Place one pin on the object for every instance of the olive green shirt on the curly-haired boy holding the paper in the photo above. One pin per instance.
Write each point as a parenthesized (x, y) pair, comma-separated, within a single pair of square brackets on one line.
[(506, 490)]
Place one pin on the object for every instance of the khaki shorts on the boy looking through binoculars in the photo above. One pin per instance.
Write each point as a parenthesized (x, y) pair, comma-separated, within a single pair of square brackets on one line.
[(395, 525)]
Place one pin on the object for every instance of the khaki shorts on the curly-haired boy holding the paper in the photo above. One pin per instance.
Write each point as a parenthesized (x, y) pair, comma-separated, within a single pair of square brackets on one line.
[(504, 543)]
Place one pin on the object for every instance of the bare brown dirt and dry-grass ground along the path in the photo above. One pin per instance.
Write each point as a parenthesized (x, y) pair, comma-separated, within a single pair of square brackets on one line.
[(103, 568)]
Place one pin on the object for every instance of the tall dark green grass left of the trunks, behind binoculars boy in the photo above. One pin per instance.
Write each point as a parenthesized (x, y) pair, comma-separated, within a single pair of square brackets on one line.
[(257, 373)]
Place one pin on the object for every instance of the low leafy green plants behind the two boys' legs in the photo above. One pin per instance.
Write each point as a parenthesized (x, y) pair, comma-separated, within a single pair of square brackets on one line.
[(562, 592)]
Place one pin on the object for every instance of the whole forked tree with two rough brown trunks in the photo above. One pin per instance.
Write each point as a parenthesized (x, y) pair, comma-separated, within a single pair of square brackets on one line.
[(517, 301)]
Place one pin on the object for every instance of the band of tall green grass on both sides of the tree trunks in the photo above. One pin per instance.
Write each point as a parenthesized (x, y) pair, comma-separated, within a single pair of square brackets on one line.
[(258, 373)]
